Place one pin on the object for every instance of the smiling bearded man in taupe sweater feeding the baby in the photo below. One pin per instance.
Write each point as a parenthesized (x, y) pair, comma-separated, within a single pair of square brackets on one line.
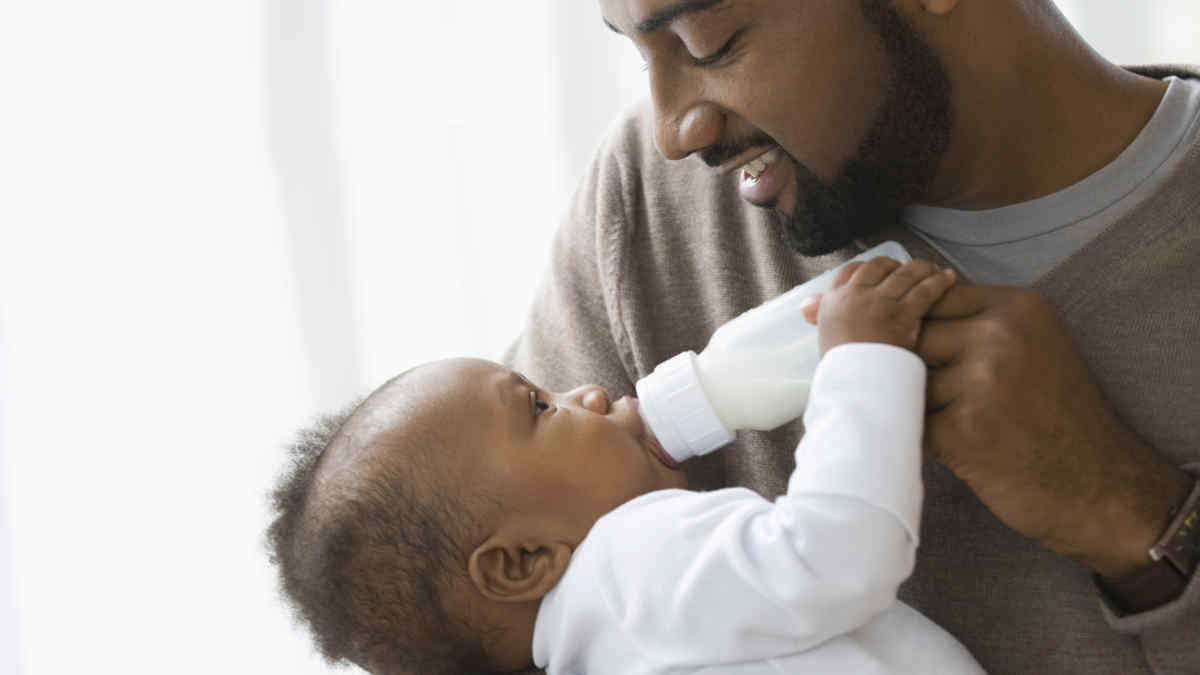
[(787, 136)]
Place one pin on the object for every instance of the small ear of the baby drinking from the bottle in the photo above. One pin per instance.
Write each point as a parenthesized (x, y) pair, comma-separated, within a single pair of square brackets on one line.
[(512, 572)]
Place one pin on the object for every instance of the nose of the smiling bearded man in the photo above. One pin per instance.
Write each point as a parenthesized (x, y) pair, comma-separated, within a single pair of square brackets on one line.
[(683, 124)]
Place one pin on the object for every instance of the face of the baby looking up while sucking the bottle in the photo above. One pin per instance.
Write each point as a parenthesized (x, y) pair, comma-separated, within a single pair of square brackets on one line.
[(556, 462)]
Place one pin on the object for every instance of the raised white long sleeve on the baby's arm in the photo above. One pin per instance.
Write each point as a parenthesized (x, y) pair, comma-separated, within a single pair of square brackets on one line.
[(724, 577)]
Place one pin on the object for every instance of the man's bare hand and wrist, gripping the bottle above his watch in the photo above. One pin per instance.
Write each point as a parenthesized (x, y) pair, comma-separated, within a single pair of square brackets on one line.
[(1015, 413)]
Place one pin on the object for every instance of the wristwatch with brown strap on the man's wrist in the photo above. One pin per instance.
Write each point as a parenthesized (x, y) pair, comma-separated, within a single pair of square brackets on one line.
[(1177, 555)]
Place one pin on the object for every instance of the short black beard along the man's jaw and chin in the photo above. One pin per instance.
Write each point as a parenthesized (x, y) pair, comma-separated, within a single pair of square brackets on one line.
[(897, 162)]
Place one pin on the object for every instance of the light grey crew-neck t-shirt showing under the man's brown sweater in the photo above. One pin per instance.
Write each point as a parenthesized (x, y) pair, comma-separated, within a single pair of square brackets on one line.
[(1018, 244)]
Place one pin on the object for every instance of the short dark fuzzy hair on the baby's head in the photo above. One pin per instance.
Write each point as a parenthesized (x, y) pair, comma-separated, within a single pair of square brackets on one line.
[(367, 557)]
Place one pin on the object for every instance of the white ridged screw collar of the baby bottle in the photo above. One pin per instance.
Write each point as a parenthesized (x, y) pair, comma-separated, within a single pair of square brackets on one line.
[(674, 405)]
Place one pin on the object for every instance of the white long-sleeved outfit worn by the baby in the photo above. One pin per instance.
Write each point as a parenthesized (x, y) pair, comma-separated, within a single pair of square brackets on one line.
[(728, 583)]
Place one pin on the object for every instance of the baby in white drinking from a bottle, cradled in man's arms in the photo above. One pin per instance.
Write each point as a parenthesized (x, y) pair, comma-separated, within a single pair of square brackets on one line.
[(464, 521)]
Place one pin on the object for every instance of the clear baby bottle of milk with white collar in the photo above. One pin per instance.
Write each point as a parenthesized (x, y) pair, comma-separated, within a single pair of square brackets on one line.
[(754, 374)]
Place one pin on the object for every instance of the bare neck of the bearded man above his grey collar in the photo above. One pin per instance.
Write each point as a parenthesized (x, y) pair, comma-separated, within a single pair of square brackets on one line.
[(1035, 109)]
